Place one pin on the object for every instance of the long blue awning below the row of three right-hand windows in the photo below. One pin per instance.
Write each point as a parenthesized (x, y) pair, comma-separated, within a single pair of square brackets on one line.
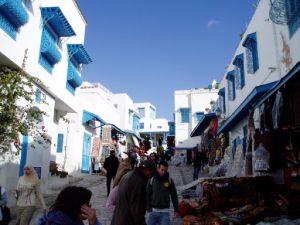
[(243, 109)]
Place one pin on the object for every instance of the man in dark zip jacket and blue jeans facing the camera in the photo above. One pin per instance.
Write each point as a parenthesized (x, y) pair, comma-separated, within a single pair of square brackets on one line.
[(159, 190)]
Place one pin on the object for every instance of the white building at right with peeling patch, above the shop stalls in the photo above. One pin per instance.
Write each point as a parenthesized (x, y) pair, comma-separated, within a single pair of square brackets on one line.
[(266, 62)]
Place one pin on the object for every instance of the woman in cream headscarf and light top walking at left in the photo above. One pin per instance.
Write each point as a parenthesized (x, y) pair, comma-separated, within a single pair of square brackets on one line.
[(28, 190)]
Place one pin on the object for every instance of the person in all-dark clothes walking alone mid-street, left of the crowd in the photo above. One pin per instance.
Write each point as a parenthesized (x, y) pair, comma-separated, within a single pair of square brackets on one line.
[(111, 165)]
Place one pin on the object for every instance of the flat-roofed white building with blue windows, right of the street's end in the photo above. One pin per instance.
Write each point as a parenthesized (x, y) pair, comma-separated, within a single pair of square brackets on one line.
[(190, 106)]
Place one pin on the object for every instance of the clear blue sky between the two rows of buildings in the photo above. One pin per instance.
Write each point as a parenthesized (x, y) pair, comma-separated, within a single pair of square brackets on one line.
[(150, 48)]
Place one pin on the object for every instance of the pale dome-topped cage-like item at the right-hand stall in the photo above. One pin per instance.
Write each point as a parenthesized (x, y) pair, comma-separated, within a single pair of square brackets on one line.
[(261, 159)]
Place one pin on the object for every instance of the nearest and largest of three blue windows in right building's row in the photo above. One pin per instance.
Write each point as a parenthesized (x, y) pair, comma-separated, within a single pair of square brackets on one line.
[(250, 44)]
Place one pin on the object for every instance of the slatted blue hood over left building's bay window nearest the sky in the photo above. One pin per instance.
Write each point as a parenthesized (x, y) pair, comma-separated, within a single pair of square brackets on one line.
[(78, 52)]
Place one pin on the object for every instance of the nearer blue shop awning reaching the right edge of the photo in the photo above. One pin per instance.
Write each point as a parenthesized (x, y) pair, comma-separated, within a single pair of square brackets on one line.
[(292, 74)]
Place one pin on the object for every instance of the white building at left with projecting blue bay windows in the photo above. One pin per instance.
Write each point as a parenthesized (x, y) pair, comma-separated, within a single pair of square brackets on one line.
[(52, 32)]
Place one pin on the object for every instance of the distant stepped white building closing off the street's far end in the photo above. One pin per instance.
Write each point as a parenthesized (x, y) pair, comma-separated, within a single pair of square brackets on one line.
[(150, 126)]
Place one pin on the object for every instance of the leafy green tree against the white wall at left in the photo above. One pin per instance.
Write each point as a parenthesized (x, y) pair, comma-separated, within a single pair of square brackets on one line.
[(17, 112)]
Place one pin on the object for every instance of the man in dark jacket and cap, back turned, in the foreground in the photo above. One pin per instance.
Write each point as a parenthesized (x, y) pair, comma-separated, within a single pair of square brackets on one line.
[(131, 200)]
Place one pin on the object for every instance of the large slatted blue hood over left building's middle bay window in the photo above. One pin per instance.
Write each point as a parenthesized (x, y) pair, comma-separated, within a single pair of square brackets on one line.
[(54, 17)]
